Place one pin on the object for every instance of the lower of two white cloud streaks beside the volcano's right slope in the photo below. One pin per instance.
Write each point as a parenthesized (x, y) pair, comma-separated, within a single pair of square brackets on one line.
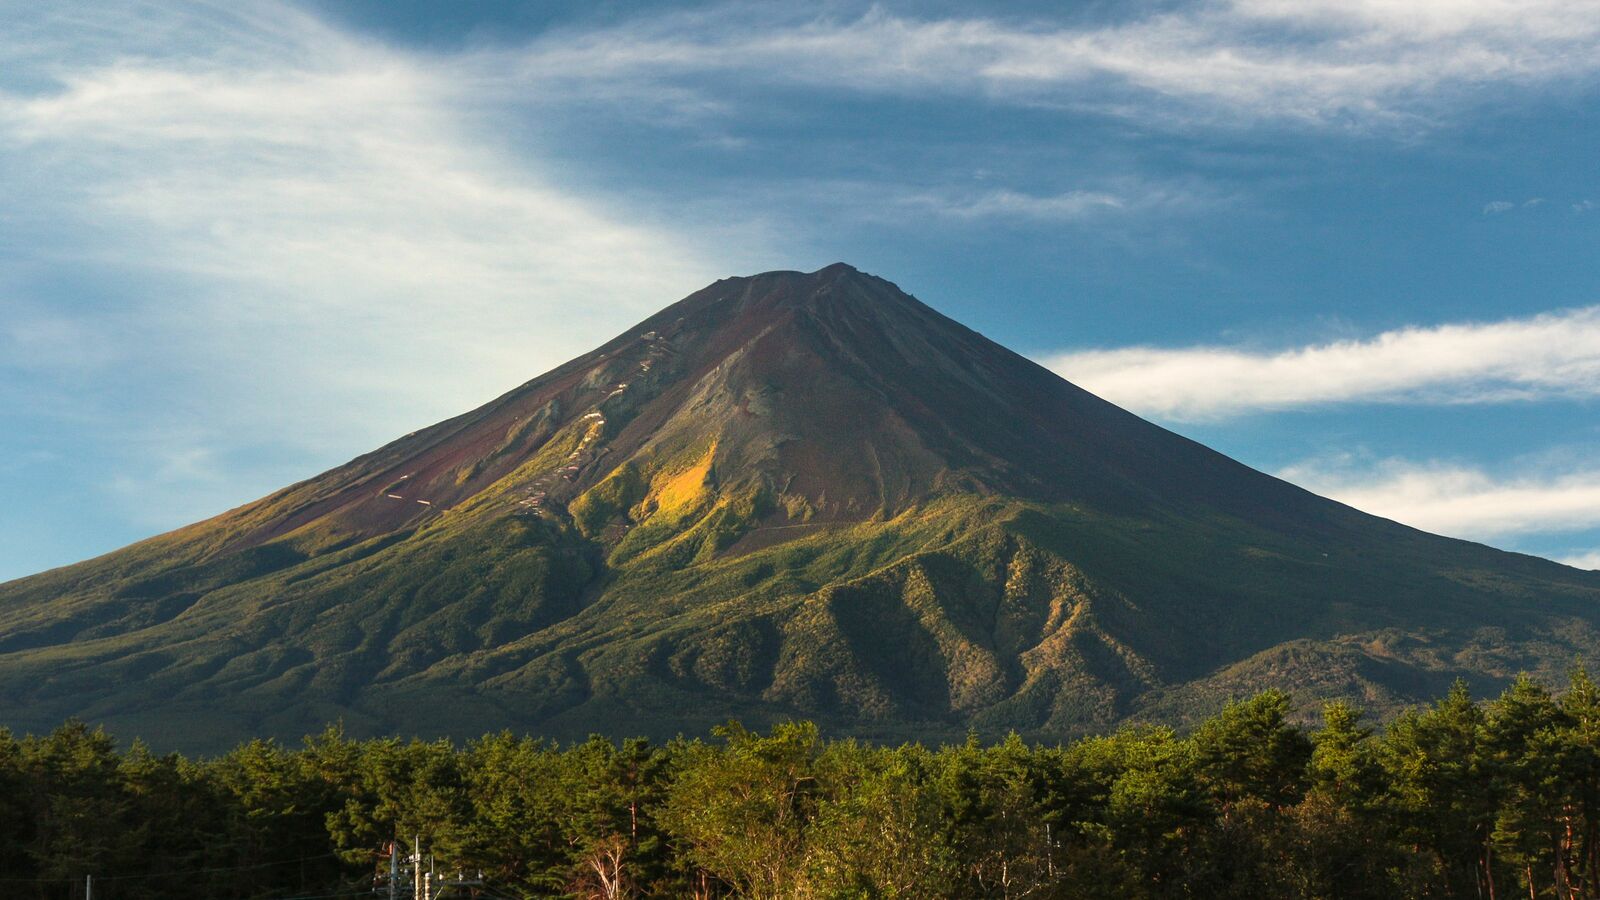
[(1457, 500)]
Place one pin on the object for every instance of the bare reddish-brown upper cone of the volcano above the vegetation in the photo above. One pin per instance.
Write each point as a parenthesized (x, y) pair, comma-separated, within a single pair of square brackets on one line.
[(882, 404)]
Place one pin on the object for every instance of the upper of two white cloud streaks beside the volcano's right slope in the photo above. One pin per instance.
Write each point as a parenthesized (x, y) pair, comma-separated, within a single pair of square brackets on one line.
[(1522, 360)]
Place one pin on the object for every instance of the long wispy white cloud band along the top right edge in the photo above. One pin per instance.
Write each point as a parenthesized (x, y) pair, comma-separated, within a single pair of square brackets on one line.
[(1326, 62)]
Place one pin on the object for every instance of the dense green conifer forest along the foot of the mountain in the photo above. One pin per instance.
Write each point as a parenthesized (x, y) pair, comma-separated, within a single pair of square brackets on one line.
[(1458, 800)]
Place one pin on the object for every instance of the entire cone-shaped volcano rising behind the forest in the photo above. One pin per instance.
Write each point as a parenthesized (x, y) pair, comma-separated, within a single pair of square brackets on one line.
[(783, 496)]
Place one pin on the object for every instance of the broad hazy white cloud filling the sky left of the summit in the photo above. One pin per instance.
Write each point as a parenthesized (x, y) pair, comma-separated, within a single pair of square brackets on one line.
[(289, 233)]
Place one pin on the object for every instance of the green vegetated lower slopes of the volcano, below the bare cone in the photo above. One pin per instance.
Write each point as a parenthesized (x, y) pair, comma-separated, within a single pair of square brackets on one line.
[(647, 614)]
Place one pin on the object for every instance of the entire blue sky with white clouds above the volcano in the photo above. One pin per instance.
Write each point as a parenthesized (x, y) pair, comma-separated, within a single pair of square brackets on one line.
[(1351, 243)]
